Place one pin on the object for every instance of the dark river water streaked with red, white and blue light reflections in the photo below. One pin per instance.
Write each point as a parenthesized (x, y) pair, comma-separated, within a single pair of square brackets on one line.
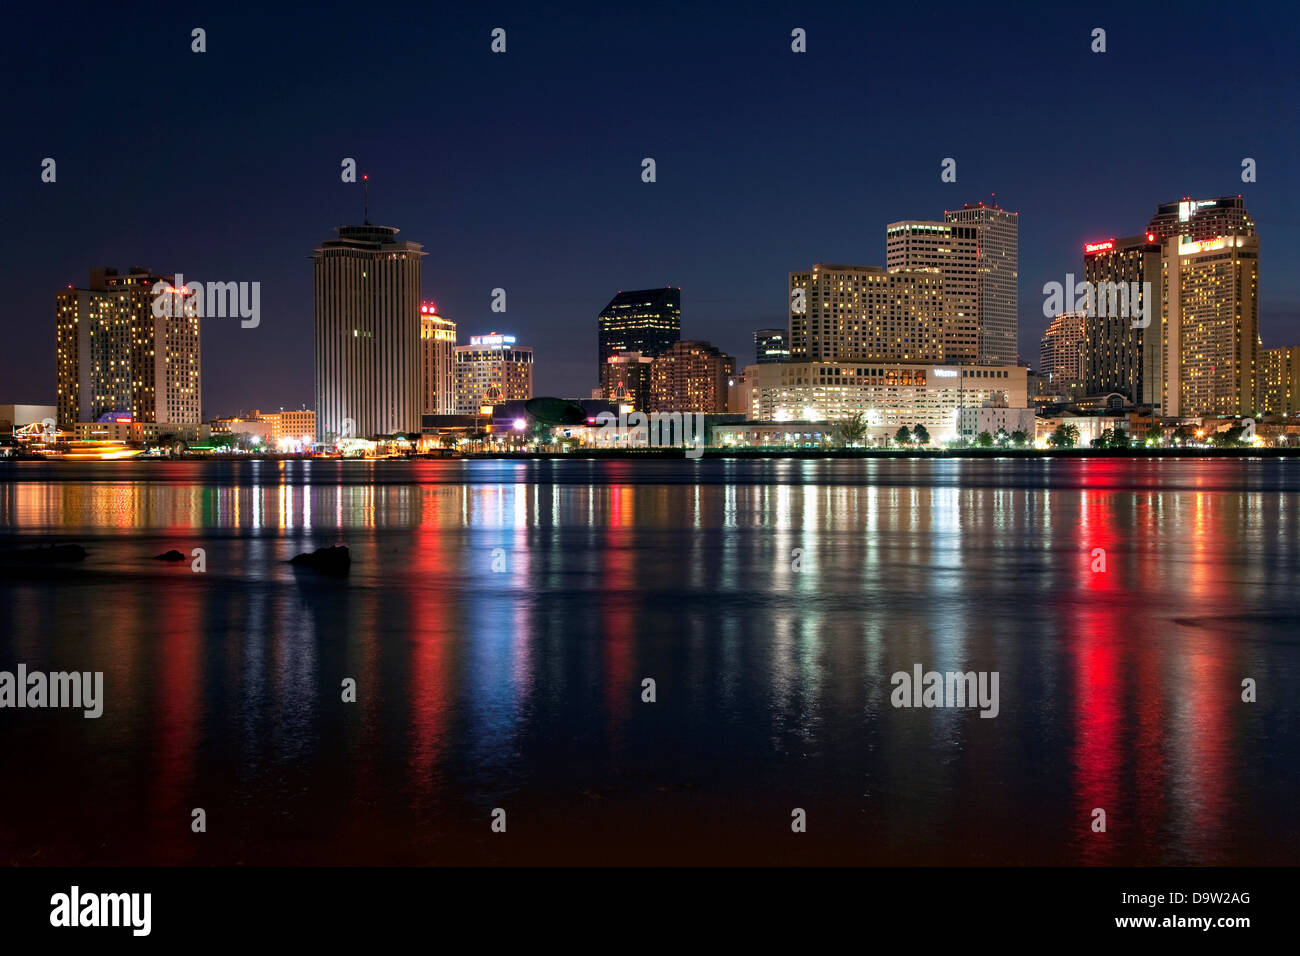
[(769, 600)]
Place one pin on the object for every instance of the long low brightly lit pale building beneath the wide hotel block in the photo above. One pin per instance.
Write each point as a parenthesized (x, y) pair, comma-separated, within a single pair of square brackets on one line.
[(887, 395)]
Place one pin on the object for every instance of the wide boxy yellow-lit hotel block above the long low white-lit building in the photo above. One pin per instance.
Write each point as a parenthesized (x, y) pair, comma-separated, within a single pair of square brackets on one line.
[(850, 313)]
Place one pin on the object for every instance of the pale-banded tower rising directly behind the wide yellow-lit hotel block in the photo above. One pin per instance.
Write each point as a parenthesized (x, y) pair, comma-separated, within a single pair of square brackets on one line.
[(952, 252)]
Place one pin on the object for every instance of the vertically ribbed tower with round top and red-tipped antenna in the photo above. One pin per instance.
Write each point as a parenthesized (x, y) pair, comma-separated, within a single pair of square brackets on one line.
[(369, 352)]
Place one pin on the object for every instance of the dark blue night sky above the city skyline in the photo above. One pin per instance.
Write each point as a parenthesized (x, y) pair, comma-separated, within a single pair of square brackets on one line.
[(523, 171)]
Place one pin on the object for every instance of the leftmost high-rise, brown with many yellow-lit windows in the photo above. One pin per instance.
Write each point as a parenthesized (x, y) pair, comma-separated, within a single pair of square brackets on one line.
[(116, 353)]
